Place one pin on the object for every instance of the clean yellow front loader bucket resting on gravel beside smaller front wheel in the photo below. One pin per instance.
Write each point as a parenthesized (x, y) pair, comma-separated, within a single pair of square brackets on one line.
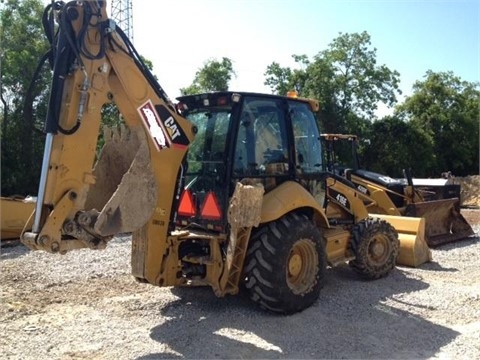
[(414, 250)]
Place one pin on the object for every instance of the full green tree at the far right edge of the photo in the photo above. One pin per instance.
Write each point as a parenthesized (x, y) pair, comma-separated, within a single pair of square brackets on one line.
[(445, 109)]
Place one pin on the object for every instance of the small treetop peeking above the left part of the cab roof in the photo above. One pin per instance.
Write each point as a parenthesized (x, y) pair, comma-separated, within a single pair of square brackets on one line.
[(213, 76)]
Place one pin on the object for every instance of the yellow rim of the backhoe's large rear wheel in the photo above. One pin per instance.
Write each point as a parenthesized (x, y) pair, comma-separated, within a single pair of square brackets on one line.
[(302, 266)]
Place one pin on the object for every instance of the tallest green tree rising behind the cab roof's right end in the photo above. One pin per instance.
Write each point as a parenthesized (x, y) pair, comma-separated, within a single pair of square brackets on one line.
[(345, 78)]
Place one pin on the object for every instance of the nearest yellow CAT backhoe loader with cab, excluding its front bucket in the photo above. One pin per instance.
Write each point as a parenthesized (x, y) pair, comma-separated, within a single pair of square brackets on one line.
[(222, 189)]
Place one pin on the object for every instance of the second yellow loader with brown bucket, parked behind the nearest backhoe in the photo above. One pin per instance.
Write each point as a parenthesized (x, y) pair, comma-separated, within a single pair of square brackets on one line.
[(438, 204)]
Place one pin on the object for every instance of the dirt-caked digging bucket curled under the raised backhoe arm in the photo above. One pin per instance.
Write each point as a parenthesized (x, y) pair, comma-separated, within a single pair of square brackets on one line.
[(124, 192)]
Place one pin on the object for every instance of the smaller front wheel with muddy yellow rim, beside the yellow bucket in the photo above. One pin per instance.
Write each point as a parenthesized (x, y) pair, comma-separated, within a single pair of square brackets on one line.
[(375, 245)]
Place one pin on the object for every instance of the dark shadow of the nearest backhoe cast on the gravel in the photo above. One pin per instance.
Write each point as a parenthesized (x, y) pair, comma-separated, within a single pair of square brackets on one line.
[(351, 319)]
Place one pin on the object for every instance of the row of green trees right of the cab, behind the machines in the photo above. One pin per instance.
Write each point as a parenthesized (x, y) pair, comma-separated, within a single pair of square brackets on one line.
[(435, 129)]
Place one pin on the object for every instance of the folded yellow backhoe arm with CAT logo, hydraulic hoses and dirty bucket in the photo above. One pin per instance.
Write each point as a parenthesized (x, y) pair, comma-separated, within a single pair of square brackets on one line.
[(133, 185)]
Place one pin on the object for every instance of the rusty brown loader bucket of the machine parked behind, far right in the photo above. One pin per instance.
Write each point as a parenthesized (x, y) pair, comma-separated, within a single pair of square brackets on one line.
[(443, 220)]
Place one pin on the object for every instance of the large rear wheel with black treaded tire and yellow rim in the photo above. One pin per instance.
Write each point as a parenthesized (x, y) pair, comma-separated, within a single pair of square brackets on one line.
[(285, 265)]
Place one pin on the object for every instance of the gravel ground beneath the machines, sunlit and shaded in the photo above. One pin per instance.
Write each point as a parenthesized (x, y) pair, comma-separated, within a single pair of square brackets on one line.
[(86, 305)]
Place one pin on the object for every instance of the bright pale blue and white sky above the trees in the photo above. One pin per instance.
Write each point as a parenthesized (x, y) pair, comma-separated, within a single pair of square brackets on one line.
[(178, 36)]
